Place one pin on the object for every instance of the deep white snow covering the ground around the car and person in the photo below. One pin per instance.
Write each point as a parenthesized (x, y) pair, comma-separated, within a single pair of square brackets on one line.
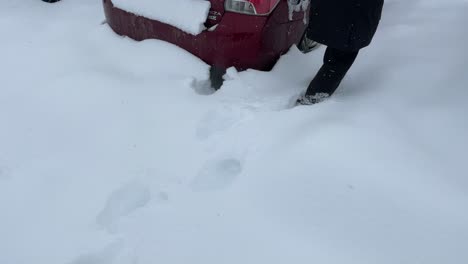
[(114, 152)]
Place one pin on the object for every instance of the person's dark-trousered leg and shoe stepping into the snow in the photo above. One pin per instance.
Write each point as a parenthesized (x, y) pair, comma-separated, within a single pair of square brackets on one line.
[(336, 64)]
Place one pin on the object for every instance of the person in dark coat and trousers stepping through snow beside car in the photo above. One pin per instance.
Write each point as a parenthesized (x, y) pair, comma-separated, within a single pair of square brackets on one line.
[(345, 27)]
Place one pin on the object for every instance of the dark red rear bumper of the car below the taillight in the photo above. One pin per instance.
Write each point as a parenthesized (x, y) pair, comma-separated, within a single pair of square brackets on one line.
[(238, 40)]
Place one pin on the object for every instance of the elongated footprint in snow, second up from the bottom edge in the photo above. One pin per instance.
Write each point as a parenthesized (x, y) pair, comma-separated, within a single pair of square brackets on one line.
[(124, 201)]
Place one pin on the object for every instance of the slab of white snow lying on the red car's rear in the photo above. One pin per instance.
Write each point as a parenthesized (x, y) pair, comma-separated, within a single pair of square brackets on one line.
[(187, 15)]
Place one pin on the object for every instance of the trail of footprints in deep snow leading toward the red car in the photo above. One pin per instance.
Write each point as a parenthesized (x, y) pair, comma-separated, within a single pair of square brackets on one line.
[(214, 175)]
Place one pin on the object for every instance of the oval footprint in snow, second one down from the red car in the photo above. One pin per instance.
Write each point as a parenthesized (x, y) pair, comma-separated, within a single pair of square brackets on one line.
[(217, 175)]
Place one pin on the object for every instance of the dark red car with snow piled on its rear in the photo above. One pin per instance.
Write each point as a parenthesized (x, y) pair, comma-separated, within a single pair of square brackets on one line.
[(241, 33)]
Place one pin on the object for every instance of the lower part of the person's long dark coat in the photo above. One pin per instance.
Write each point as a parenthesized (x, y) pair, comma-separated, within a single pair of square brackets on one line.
[(348, 25)]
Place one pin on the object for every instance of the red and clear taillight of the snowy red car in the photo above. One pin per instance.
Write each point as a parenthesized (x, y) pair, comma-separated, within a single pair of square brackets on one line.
[(251, 7)]
